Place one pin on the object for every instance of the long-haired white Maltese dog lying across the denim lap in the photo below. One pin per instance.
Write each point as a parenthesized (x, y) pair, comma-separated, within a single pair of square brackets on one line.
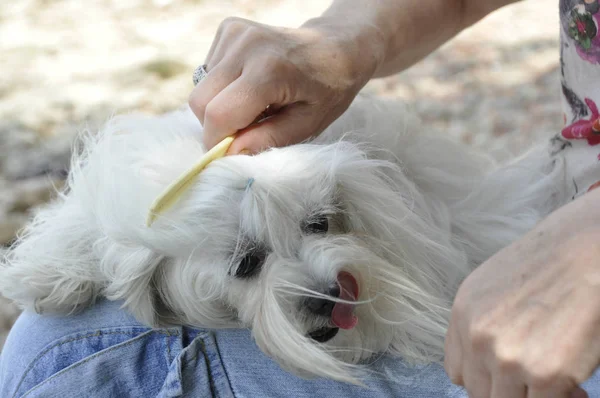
[(330, 251)]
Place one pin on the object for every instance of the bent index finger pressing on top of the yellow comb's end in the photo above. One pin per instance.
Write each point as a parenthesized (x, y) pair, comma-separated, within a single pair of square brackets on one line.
[(236, 107)]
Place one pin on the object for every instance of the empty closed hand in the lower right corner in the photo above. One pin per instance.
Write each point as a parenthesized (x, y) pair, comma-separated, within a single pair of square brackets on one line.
[(526, 322)]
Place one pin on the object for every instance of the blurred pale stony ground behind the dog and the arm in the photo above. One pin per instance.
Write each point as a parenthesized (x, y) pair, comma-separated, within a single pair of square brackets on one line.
[(68, 65)]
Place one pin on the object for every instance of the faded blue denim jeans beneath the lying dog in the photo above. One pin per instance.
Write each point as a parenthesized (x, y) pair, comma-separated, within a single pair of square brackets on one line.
[(104, 352)]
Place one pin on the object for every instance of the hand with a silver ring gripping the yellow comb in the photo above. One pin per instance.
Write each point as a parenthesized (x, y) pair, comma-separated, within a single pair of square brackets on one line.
[(307, 77)]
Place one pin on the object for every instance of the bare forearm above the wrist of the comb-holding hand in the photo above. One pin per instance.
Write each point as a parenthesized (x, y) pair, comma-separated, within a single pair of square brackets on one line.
[(398, 33)]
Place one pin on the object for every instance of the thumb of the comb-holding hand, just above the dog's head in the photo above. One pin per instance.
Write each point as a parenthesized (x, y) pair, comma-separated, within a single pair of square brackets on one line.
[(291, 125)]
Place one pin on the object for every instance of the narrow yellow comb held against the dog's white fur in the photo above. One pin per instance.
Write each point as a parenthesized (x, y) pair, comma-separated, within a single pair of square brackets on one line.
[(178, 187)]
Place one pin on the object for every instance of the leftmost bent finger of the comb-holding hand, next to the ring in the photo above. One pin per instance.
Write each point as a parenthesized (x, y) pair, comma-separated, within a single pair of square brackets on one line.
[(208, 88)]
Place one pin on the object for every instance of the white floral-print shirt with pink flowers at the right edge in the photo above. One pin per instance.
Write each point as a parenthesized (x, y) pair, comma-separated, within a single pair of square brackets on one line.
[(579, 140)]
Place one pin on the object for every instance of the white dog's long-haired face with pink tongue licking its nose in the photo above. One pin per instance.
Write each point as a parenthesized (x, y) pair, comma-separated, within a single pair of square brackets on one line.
[(305, 246)]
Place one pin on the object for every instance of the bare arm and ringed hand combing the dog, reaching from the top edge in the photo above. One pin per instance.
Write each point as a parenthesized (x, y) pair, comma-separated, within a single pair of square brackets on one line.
[(309, 76)]
